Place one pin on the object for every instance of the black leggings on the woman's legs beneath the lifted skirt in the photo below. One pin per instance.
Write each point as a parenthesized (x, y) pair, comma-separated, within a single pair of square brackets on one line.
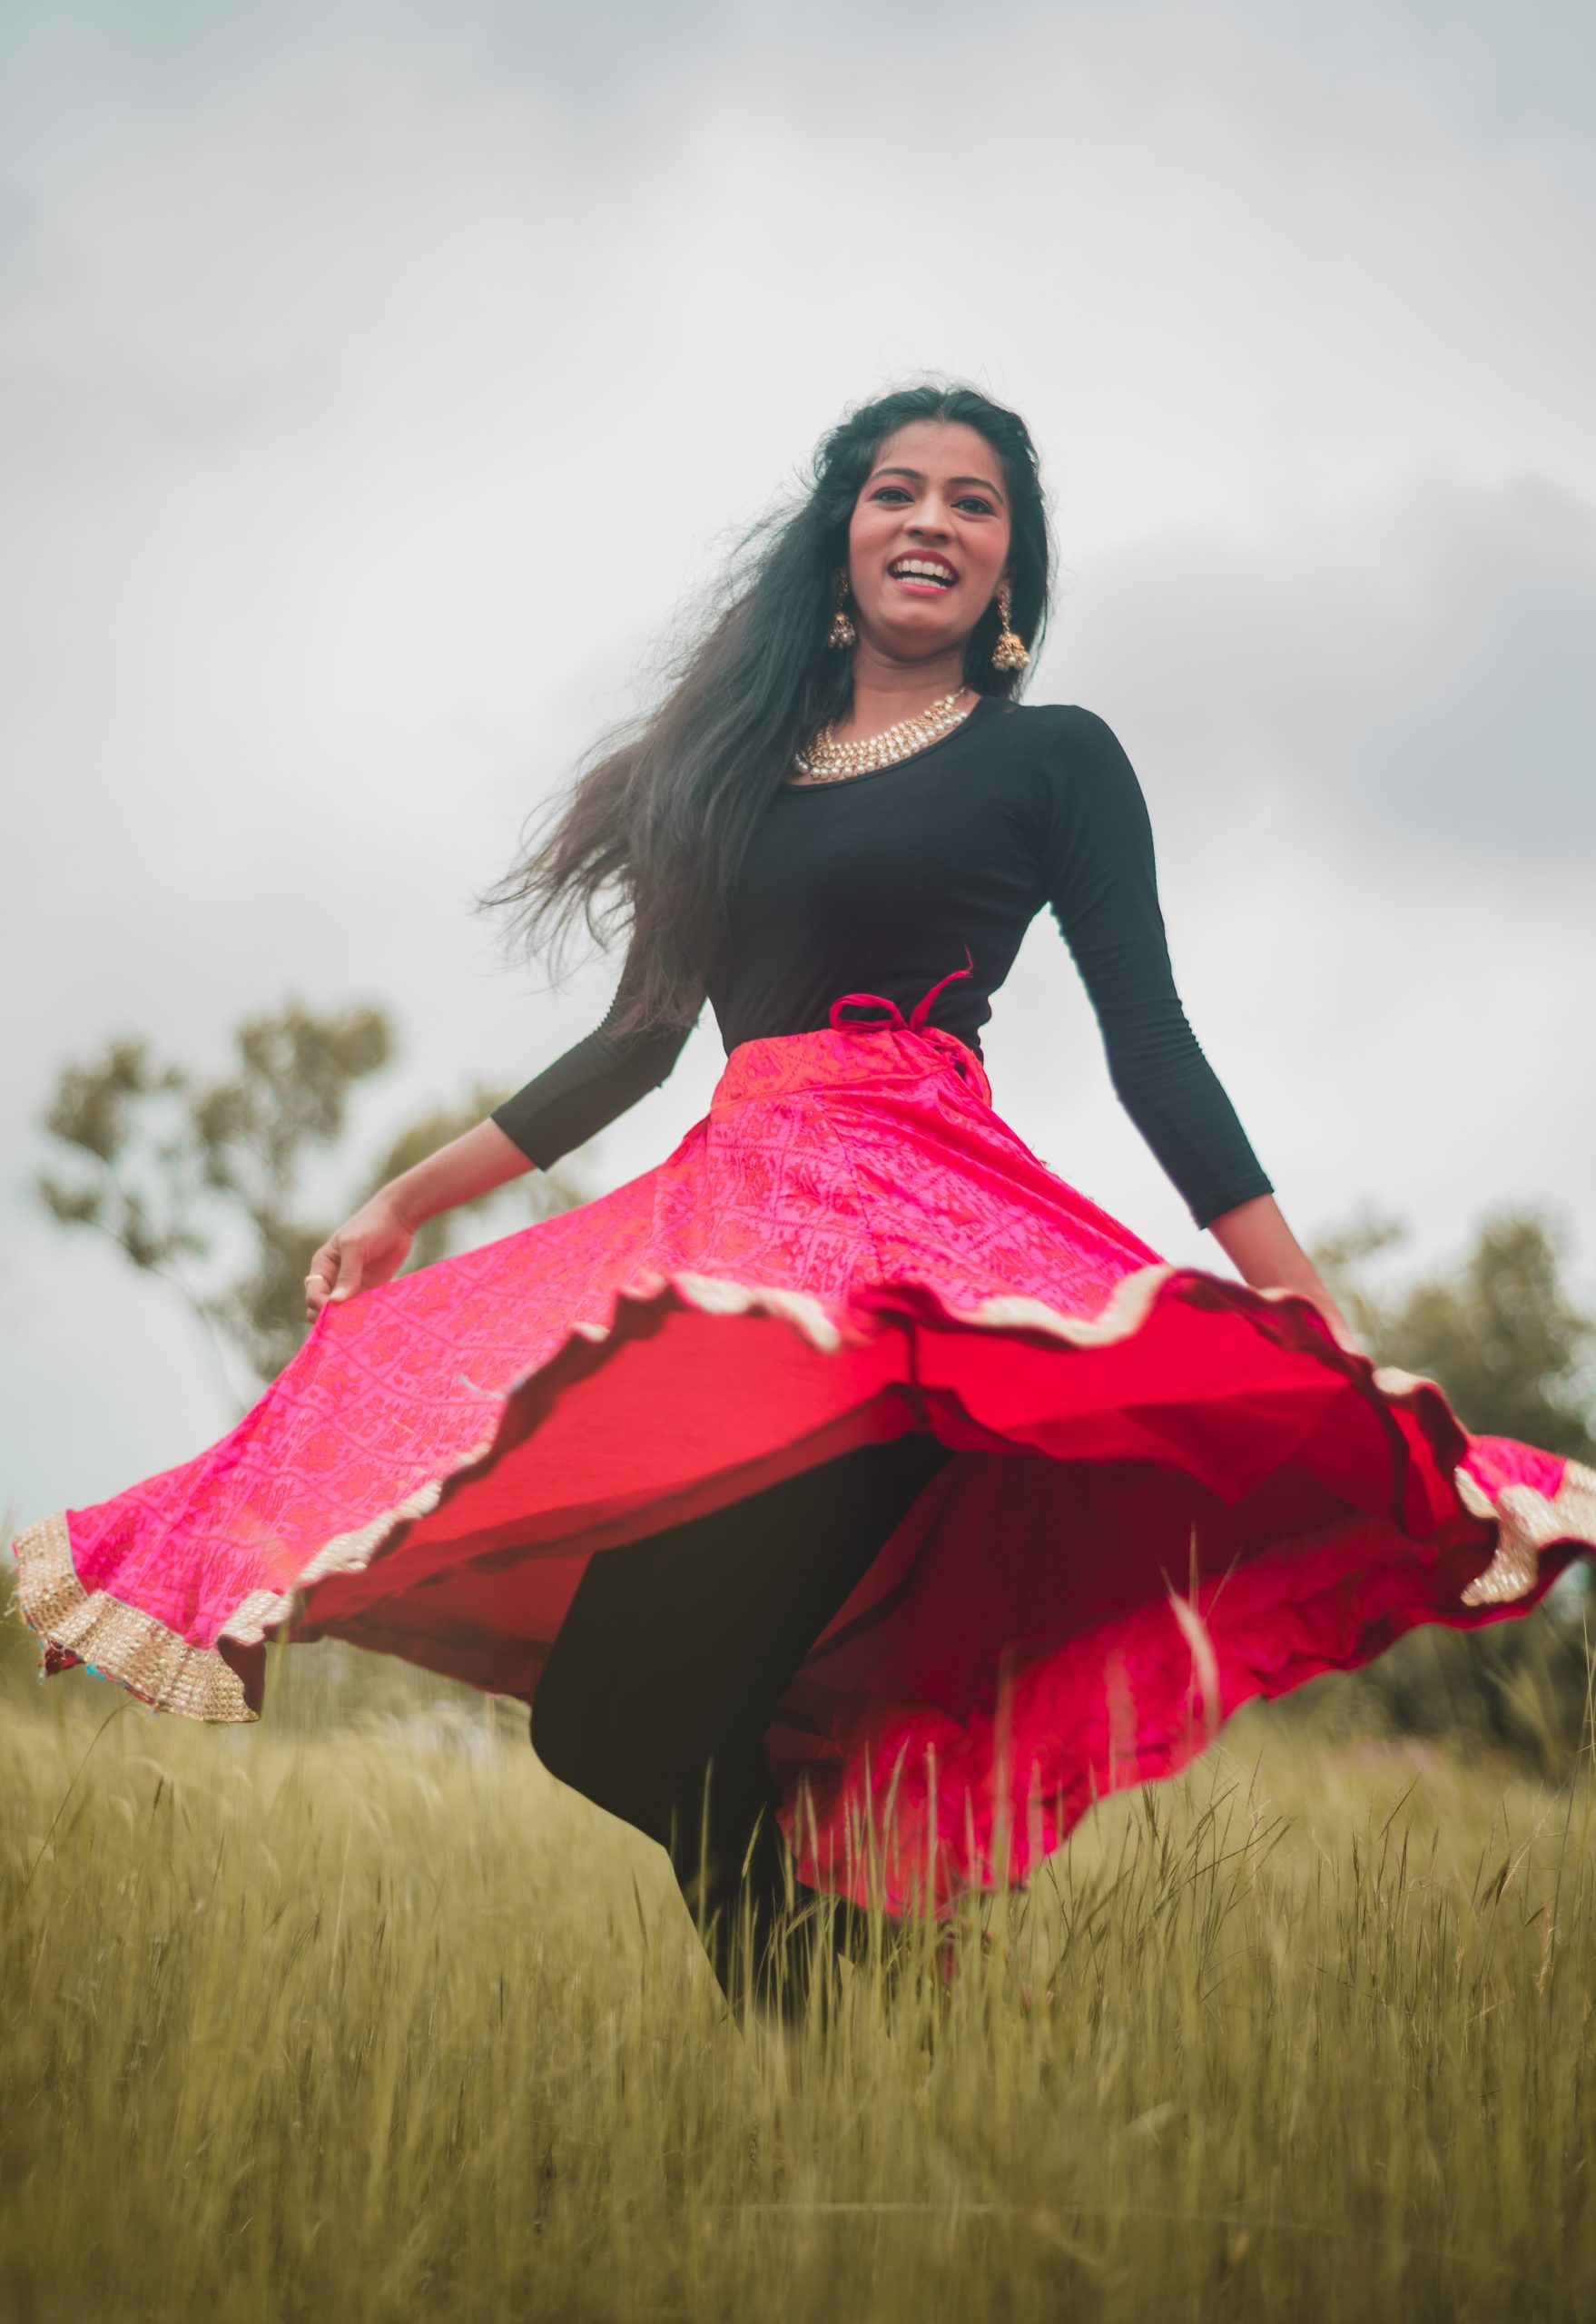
[(677, 1649)]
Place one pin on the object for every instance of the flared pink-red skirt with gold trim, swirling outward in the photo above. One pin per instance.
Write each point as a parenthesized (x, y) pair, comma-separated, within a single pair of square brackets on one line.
[(1170, 1495)]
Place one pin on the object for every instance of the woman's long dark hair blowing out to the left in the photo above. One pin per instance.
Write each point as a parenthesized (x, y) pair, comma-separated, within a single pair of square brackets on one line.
[(656, 826)]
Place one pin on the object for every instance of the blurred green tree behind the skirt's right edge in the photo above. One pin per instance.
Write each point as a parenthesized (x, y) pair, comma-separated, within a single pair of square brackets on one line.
[(1514, 1354)]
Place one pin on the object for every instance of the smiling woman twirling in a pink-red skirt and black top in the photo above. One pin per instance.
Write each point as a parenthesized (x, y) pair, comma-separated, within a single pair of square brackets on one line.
[(847, 1475)]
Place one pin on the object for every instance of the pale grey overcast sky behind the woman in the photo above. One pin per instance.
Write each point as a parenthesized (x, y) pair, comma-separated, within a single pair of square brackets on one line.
[(380, 378)]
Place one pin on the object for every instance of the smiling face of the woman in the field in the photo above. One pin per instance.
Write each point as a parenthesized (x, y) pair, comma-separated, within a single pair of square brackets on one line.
[(928, 540)]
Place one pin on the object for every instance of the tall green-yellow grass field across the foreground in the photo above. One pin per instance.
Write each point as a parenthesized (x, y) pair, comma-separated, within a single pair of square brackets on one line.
[(380, 2025)]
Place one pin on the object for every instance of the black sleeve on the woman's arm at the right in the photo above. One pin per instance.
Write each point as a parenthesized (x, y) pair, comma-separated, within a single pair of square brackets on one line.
[(1102, 889)]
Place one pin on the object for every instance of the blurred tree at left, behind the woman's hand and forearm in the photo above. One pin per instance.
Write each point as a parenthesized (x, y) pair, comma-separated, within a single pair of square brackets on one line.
[(208, 1177)]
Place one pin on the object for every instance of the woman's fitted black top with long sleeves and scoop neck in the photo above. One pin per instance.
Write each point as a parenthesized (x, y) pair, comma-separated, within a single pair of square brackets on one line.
[(882, 882)]
